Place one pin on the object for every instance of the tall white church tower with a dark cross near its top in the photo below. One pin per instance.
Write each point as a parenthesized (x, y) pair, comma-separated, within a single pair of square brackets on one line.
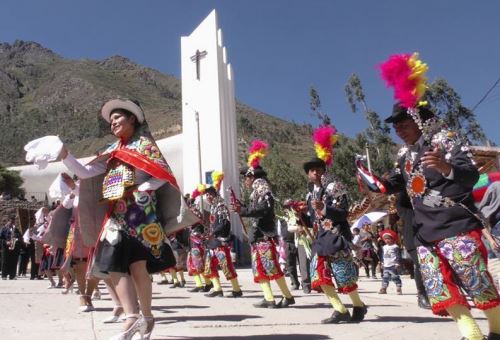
[(208, 110)]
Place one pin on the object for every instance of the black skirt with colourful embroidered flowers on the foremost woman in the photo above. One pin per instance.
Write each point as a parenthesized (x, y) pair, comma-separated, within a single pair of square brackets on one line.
[(131, 232)]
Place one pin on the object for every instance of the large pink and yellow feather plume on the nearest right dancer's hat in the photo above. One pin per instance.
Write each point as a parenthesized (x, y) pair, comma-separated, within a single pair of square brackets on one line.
[(406, 74)]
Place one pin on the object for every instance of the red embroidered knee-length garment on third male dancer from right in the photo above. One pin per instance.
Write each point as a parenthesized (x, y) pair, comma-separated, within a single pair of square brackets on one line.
[(265, 265)]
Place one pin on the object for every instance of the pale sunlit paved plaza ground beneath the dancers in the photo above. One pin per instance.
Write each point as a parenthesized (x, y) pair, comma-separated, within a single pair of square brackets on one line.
[(31, 311)]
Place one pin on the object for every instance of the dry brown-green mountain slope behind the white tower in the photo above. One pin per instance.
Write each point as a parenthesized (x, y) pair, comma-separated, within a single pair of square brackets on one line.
[(42, 93)]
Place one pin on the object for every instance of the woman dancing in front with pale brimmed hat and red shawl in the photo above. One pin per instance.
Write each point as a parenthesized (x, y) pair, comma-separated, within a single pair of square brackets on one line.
[(131, 244)]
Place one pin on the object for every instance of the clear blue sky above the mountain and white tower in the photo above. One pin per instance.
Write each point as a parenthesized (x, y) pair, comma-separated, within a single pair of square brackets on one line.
[(280, 48)]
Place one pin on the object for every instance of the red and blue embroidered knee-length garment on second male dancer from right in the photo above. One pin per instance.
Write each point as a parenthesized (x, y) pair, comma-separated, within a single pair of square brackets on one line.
[(340, 266)]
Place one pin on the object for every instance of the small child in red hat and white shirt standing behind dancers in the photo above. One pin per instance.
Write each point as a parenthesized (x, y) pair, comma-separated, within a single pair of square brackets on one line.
[(391, 260)]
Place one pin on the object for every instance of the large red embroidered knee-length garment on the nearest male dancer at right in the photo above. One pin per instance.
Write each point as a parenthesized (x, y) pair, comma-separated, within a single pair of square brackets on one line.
[(454, 263)]
